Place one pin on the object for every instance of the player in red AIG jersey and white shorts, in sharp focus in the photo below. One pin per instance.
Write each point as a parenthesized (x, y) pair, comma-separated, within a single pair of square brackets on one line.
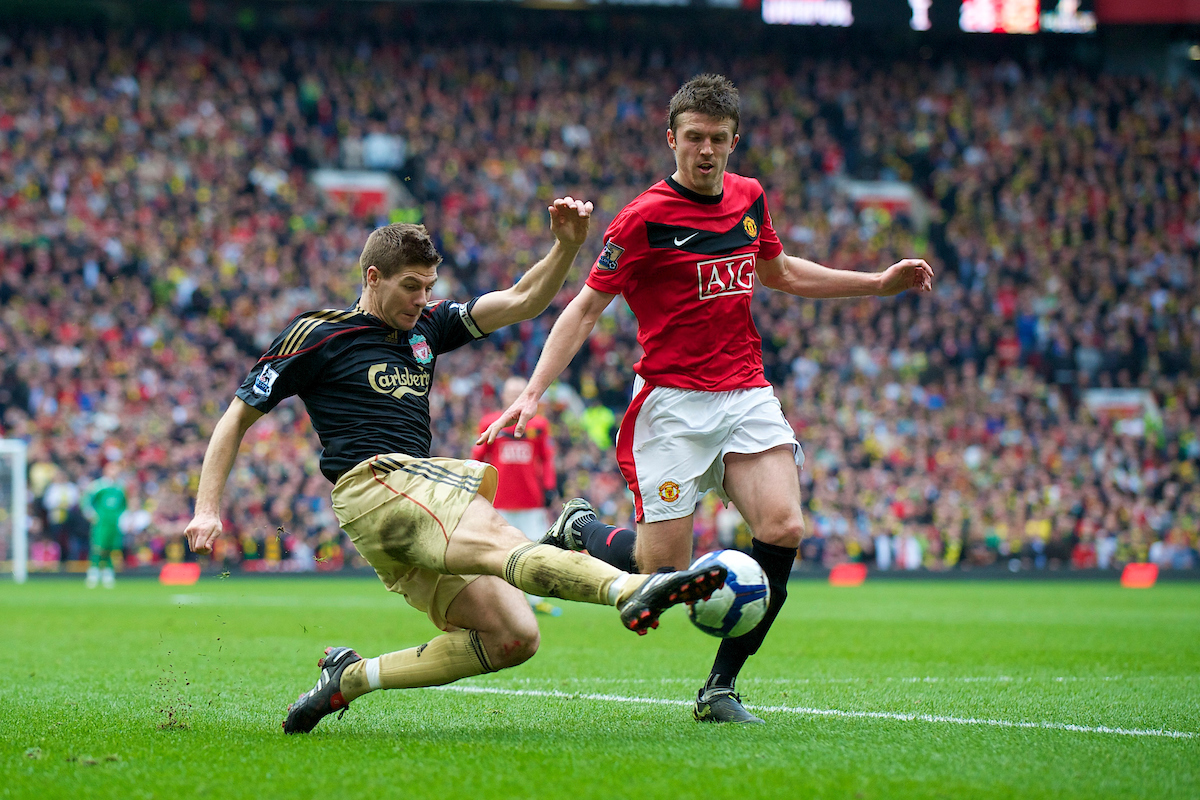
[(686, 255)]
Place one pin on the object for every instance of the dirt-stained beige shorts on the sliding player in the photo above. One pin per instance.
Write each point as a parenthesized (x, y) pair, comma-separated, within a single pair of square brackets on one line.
[(400, 513)]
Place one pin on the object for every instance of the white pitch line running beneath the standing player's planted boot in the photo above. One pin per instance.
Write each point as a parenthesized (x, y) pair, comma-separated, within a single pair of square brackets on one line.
[(825, 713)]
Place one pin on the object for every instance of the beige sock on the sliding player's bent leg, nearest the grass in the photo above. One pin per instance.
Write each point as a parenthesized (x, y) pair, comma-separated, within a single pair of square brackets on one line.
[(440, 661)]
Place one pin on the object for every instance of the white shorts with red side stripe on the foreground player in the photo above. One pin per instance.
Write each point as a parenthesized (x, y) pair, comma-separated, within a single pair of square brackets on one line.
[(673, 443)]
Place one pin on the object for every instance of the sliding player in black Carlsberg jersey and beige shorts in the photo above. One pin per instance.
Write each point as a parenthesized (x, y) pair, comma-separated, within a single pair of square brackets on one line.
[(425, 525)]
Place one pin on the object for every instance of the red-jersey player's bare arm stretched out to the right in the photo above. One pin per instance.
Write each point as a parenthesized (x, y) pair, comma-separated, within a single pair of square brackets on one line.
[(806, 279)]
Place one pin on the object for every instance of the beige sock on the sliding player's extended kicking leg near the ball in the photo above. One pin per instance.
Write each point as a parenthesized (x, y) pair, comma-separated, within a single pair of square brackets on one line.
[(548, 570)]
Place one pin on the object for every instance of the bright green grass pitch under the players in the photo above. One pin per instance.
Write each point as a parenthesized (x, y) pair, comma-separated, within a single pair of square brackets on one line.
[(172, 693)]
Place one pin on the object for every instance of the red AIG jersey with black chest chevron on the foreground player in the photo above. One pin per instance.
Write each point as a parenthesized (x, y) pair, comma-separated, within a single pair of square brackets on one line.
[(686, 266)]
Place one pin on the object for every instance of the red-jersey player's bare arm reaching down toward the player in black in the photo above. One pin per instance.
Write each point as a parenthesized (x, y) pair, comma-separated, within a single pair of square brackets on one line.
[(565, 341)]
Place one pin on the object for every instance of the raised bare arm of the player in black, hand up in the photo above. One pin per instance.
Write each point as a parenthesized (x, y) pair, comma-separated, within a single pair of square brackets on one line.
[(532, 294)]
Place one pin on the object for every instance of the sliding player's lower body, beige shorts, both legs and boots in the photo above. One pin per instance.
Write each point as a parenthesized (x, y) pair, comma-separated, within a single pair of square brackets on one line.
[(430, 536)]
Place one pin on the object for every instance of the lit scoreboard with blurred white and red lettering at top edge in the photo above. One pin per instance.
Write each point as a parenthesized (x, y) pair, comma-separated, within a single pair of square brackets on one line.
[(970, 16)]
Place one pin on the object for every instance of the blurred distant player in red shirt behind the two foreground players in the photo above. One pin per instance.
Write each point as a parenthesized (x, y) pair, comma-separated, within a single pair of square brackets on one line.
[(529, 482)]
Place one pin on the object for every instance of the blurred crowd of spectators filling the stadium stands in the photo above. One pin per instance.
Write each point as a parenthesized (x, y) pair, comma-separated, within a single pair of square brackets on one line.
[(159, 227)]
